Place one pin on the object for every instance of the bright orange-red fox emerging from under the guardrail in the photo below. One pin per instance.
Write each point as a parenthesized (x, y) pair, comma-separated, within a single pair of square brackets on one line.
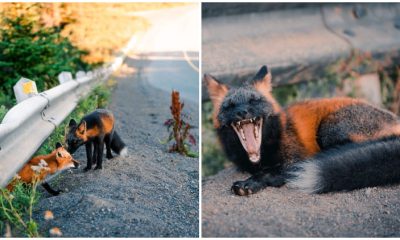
[(46, 167)]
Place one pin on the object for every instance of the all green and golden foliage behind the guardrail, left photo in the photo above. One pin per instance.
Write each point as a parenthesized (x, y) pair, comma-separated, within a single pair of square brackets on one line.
[(39, 40)]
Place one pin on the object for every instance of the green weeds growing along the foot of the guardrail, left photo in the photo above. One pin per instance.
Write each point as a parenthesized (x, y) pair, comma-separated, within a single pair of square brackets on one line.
[(16, 207)]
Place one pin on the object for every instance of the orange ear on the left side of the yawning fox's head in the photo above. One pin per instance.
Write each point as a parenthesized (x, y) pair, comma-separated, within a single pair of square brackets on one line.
[(217, 92)]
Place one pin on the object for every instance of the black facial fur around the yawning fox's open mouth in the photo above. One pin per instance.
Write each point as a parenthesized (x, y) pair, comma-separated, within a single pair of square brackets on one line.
[(245, 103)]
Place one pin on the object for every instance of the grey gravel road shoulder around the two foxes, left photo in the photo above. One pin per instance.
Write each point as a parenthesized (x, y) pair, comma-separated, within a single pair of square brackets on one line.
[(150, 193)]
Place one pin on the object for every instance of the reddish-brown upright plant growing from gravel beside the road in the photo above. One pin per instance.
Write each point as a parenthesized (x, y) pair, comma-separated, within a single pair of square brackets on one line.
[(179, 129)]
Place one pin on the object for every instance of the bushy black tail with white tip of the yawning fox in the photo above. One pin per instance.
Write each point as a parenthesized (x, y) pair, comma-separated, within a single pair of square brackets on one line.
[(348, 167)]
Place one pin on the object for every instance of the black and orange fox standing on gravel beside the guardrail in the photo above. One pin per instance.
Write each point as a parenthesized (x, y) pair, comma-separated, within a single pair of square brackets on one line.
[(95, 130)]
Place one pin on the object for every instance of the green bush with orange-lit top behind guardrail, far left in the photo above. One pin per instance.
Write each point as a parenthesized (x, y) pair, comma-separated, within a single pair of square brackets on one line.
[(32, 49)]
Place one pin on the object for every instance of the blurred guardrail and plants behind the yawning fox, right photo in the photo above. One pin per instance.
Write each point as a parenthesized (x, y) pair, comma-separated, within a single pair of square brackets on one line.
[(313, 50)]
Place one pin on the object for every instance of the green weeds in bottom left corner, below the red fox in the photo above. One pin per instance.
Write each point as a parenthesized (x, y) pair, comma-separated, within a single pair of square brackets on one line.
[(16, 207)]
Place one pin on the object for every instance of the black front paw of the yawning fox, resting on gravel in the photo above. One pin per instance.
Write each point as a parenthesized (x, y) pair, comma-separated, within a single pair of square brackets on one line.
[(260, 180)]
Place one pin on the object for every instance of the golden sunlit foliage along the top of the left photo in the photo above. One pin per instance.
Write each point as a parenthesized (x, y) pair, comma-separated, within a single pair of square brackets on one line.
[(100, 28)]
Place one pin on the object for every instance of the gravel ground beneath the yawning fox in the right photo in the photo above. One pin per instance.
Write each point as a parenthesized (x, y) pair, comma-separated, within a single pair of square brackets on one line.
[(283, 212)]
